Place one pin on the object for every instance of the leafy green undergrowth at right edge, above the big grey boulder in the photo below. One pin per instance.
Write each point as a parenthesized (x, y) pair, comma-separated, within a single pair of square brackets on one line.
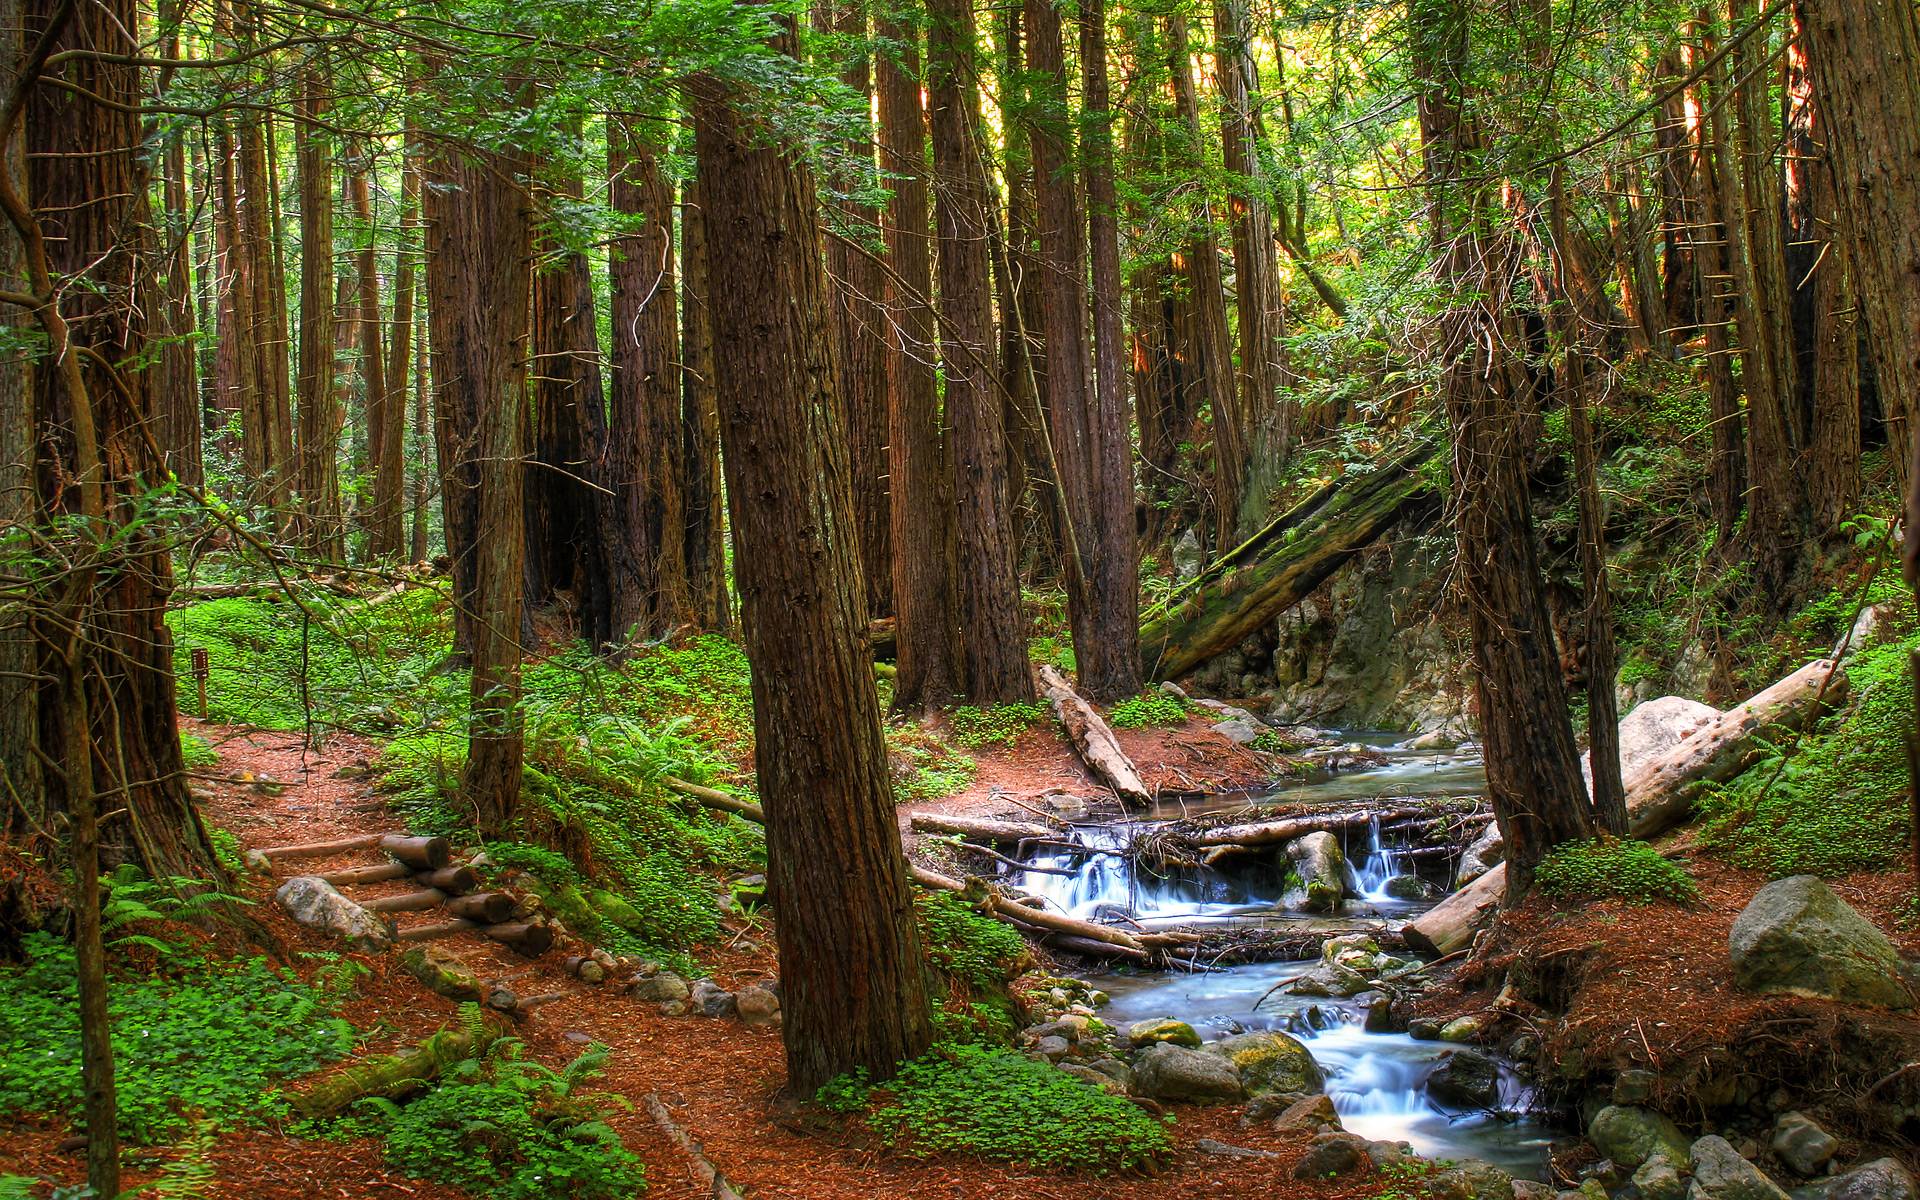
[(1833, 802)]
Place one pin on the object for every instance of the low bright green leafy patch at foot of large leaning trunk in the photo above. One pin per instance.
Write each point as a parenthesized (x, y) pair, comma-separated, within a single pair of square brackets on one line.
[(997, 1105)]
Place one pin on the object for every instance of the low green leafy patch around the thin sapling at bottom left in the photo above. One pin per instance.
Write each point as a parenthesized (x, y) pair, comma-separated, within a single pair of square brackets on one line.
[(206, 1040)]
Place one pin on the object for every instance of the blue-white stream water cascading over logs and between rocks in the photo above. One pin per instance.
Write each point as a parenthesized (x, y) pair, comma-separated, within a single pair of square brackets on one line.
[(1376, 1080)]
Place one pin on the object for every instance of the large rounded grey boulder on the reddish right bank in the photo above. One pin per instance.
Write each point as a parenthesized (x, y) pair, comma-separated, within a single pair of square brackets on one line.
[(1798, 938)]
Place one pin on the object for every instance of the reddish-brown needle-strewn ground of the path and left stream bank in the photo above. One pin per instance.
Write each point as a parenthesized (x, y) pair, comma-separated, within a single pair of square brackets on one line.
[(721, 1080)]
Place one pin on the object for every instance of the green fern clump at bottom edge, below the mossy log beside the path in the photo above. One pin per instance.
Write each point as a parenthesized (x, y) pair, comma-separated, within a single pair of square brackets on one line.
[(514, 1130)]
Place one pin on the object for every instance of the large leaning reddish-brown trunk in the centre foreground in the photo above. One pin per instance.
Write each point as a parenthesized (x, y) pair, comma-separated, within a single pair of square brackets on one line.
[(852, 971)]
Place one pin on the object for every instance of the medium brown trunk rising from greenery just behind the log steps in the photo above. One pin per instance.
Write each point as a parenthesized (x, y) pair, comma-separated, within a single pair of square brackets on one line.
[(479, 264)]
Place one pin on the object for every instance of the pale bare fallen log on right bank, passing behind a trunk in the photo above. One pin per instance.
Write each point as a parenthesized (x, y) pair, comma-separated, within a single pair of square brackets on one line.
[(1660, 796)]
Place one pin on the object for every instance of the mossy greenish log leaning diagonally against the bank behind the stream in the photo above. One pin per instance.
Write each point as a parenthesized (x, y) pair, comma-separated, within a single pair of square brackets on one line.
[(1282, 565)]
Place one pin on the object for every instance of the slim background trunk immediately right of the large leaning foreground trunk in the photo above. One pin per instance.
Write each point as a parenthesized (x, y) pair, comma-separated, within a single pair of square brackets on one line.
[(861, 325)]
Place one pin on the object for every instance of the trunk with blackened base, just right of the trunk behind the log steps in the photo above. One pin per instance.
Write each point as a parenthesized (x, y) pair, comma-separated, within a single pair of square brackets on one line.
[(567, 523)]
